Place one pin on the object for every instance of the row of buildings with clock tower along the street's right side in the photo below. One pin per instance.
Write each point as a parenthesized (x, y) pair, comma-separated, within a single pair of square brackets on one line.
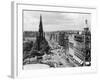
[(81, 46)]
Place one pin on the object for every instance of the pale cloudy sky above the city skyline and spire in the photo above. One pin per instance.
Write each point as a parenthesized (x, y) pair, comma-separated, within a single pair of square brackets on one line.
[(55, 21)]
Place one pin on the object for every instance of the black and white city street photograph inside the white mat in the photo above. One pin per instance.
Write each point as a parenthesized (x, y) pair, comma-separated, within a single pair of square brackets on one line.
[(56, 39)]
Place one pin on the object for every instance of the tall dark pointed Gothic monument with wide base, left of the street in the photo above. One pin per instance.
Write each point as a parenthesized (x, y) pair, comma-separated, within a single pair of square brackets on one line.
[(41, 44)]
